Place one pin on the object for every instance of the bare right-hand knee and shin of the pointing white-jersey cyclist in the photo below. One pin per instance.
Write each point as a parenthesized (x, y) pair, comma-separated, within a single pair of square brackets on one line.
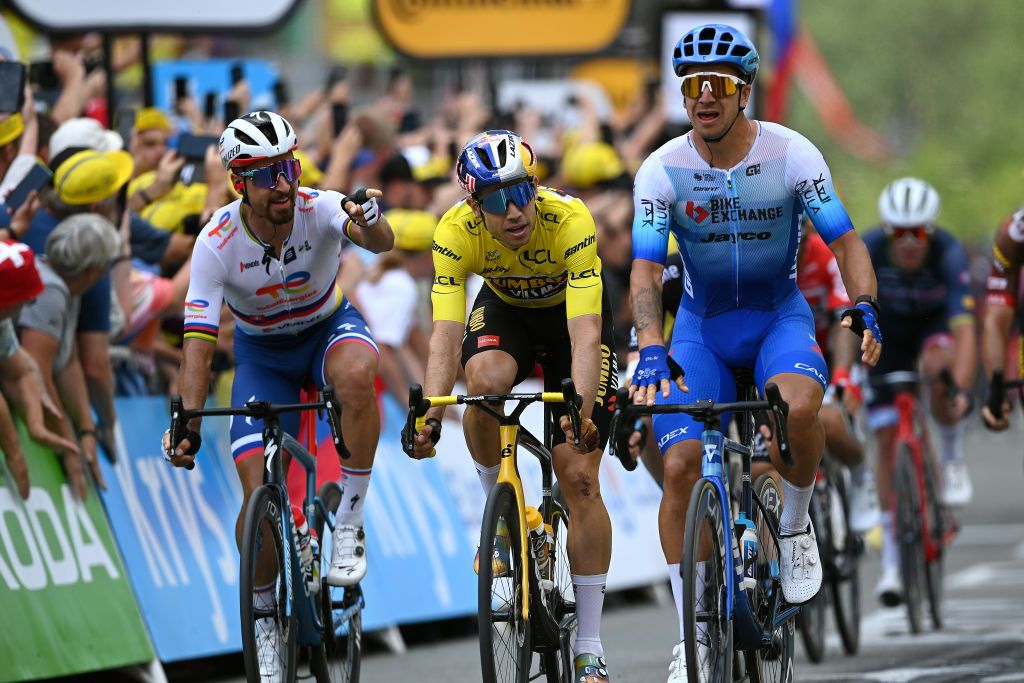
[(352, 368)]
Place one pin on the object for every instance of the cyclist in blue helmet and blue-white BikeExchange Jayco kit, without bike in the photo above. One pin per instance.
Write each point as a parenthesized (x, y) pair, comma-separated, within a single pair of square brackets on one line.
[(734, 191)]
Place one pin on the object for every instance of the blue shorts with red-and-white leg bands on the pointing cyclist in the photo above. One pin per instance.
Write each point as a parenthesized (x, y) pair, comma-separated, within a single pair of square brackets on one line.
[(277, 368)]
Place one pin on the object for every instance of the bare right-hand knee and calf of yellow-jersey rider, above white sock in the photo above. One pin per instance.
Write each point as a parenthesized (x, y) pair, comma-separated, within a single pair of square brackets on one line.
[(590, 533)]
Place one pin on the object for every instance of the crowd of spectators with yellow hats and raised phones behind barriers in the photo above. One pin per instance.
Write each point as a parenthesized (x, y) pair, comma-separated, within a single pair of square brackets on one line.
[(105, 246)]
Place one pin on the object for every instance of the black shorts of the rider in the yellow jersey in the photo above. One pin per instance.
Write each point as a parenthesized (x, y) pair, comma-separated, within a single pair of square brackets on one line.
[(534, 336)]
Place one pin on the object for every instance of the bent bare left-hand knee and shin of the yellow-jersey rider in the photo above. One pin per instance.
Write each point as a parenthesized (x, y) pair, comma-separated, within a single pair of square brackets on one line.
[(492, 372)]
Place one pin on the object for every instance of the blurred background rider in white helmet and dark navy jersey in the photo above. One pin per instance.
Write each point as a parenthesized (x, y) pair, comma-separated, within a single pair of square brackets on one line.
[(928, 313)]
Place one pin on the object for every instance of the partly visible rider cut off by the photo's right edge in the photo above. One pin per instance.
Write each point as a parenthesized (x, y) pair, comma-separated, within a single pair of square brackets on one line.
[(1001, 307)]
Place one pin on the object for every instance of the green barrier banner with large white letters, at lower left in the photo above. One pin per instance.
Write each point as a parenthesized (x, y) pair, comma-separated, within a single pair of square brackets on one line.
[(66, 603)]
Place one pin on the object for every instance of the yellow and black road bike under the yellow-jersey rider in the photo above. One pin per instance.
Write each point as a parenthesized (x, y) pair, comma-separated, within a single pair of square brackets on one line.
[(521, 610)]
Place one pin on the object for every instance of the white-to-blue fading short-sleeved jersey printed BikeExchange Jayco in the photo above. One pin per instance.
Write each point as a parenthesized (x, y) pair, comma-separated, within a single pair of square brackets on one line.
[(739, 230)]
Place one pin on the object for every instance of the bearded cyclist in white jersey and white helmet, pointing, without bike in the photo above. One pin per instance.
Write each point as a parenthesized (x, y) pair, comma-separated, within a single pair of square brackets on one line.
[(273, 259)]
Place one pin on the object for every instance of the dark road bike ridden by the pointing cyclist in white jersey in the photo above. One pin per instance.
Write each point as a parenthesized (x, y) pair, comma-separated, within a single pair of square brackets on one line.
[(325, 622)]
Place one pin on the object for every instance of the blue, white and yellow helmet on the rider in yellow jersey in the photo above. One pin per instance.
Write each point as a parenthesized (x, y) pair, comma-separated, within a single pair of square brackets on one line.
[(495, 158)]
